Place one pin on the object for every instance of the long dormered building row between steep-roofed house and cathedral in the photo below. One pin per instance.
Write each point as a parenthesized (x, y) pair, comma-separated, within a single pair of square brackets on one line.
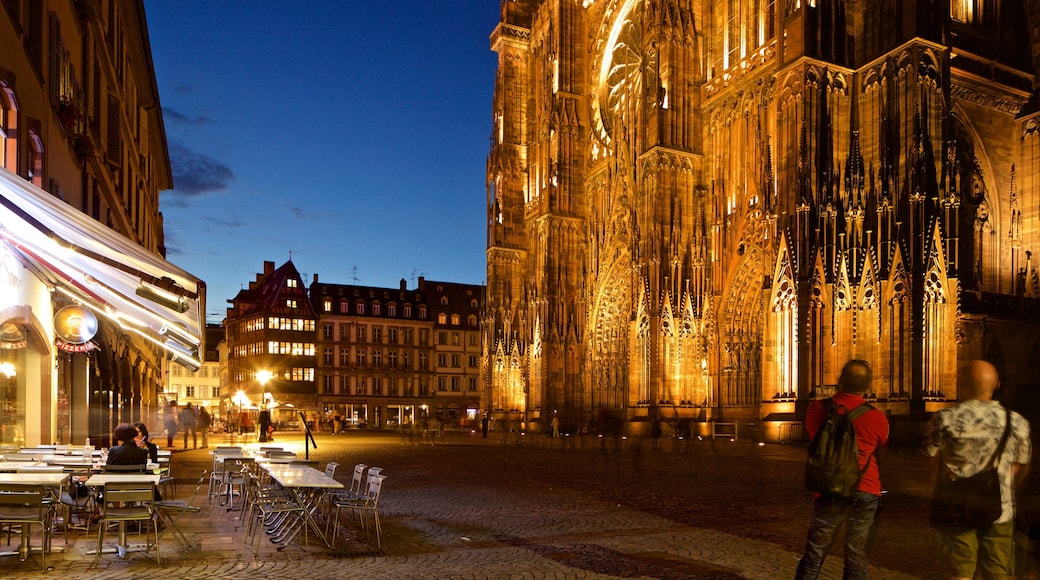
[(394, 357)]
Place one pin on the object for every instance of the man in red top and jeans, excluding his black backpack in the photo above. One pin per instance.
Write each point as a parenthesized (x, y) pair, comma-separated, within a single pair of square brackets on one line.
[(859, 512)]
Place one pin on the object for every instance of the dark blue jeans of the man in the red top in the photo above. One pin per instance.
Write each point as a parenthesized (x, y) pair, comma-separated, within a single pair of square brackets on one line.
[(860, 515)]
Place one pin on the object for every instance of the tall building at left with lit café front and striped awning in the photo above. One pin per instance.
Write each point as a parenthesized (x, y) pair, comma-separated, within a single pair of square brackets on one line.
[(91, 312)]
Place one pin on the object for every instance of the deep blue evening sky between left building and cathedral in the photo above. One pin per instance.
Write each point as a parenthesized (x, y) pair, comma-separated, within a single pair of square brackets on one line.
[(353, 135)]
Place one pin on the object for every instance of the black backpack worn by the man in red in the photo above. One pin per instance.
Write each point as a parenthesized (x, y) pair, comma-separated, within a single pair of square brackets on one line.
[(833, 468)]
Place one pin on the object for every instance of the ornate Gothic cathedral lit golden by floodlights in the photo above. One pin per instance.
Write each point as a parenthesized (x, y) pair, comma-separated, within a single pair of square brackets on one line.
[(698, 212)]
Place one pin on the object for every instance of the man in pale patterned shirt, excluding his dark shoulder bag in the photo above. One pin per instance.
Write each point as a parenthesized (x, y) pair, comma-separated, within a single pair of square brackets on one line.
[(966, 437)]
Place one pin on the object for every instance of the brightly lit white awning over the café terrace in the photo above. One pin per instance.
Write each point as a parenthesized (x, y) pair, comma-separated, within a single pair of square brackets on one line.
[(102, 270)]
